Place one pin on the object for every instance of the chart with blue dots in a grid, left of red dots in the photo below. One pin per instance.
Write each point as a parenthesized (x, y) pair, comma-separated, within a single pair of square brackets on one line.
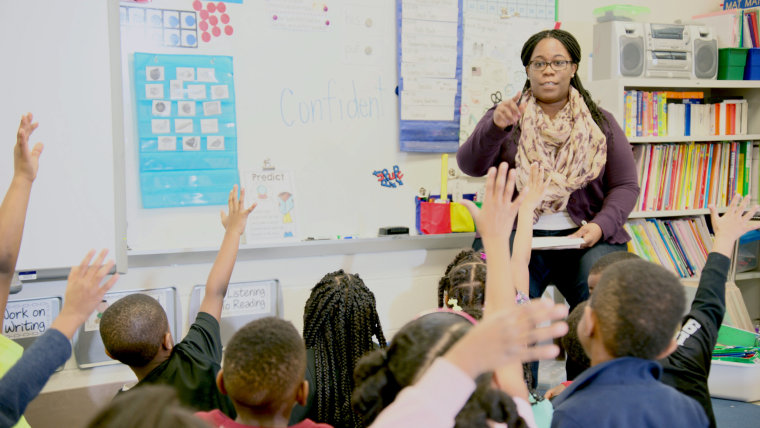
[(160, 27)]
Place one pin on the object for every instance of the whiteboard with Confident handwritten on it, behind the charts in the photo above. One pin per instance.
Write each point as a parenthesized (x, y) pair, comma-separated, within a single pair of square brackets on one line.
[(320, 102)]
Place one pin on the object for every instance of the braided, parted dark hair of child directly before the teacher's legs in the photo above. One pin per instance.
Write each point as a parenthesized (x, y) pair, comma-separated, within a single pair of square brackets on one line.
[(464, 280)]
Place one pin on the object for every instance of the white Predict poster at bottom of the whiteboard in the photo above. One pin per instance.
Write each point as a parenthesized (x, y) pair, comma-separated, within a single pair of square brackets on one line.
[(275, 217)]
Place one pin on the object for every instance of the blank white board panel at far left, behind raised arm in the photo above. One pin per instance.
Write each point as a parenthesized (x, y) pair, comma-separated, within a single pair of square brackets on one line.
[(57, 65)]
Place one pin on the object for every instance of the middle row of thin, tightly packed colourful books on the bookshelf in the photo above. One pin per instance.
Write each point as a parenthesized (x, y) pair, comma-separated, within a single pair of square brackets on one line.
[(694, 175)]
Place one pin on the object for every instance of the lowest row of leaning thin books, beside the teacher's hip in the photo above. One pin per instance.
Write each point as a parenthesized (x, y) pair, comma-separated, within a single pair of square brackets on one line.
[(679, 245)]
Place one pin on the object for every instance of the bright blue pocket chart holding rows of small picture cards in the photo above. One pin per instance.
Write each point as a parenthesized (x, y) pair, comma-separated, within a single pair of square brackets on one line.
[(186, 128)]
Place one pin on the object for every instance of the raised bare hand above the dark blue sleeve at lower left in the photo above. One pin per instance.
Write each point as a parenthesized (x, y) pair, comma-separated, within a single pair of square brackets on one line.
[(84, 292)]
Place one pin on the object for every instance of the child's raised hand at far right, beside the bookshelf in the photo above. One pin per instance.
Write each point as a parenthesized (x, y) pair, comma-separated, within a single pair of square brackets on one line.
[(733, 224)]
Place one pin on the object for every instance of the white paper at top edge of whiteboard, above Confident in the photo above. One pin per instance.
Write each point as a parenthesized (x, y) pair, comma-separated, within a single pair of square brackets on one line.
[(299, 15)]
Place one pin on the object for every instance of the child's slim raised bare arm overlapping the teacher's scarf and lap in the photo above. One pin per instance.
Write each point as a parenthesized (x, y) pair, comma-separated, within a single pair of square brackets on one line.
[(534, 194)]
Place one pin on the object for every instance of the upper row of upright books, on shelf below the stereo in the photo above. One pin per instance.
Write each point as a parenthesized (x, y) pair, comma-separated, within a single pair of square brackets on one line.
[(682, 113)]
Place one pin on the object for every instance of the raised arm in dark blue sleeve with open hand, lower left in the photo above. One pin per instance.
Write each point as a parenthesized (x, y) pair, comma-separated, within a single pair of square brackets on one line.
[(24, 381)]
